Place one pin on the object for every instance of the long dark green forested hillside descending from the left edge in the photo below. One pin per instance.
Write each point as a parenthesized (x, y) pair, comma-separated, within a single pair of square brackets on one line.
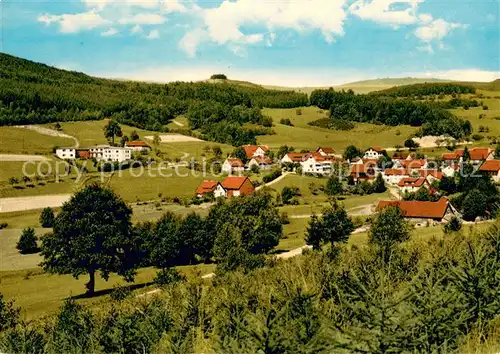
[(36, 93)]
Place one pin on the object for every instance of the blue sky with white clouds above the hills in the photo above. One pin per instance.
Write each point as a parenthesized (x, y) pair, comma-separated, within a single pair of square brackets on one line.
[(272, 42)]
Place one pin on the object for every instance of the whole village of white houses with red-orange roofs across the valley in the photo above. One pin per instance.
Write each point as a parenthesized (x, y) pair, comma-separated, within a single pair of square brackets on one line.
[(404, 173)]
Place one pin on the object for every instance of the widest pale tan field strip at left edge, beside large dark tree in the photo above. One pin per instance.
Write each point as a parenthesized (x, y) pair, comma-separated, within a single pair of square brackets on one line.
[(36, 202)]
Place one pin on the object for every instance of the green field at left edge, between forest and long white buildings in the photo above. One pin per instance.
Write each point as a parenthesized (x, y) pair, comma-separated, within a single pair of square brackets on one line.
[(25, 141)]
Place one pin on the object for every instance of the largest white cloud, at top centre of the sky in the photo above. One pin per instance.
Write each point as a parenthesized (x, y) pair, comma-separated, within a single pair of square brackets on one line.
[(224, 23)]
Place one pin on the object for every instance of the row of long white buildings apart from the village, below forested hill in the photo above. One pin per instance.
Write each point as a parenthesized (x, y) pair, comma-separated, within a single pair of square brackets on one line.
[(104, 152)]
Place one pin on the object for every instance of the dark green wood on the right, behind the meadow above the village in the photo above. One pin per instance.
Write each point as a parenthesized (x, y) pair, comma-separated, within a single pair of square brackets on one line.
[(433, 120)]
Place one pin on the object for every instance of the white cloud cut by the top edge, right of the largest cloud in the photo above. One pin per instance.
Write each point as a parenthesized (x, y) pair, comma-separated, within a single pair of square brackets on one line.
[(382, 11)]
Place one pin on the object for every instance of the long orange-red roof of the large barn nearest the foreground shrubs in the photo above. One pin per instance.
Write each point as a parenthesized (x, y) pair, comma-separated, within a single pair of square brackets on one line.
[(418, 209)]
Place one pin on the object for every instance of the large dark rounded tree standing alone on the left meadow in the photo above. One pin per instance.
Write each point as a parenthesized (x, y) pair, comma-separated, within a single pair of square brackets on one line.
[(92, 233)]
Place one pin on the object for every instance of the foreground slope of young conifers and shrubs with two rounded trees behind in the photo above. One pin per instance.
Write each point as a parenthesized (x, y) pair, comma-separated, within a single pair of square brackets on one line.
[(385, 295)]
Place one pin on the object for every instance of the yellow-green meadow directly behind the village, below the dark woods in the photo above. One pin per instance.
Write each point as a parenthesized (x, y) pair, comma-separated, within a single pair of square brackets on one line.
[(305, 137)]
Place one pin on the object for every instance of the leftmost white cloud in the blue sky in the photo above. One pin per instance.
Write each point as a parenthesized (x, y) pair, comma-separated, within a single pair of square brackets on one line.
[(72, 23)]
